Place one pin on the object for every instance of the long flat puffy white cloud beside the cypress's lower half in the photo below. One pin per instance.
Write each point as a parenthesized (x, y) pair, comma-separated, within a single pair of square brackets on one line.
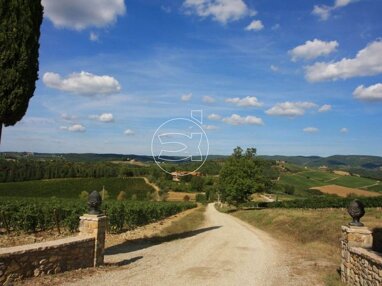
[(82, 83)]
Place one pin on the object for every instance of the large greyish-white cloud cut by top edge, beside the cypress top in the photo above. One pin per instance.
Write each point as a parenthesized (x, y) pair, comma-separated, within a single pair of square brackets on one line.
[(80, 14)]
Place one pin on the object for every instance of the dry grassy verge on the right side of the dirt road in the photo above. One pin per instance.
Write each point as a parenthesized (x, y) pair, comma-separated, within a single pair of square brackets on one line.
[(313, 233)]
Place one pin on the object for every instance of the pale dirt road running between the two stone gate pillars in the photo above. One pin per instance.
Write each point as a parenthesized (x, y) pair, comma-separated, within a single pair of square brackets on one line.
[(225, 251)]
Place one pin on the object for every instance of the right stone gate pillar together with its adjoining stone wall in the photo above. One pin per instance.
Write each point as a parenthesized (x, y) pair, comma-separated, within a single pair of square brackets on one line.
[(360, 265)]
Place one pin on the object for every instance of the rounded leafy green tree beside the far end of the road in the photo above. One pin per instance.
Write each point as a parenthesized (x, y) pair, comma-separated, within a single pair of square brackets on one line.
[(240, 176)]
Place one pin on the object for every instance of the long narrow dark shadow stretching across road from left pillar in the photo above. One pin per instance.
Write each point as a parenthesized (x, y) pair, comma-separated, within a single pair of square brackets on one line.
[(141, 243)]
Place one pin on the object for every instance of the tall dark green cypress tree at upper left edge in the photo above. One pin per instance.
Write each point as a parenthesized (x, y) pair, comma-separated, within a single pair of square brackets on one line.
[(20, 22)]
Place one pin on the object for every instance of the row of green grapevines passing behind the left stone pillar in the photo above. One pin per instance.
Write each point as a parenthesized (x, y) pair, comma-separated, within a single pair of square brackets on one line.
[(37, 215)]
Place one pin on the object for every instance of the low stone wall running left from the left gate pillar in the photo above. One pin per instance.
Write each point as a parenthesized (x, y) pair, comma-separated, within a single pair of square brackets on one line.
[(46, 258)]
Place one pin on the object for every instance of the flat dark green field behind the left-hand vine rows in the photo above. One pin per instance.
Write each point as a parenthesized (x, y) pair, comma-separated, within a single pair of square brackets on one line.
[(71, 188)]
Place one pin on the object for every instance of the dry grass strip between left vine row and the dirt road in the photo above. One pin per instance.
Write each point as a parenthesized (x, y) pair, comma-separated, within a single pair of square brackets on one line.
[(190, 222)]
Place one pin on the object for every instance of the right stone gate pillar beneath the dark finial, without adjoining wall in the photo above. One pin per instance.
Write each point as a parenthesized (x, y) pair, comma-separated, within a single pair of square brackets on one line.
[(353, 236)]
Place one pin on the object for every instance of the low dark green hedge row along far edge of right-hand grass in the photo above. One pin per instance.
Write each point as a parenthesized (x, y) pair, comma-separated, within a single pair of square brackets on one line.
[(317, 203)]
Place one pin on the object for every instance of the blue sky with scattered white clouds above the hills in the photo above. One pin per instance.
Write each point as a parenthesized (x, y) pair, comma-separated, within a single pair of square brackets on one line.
[(288, 77)]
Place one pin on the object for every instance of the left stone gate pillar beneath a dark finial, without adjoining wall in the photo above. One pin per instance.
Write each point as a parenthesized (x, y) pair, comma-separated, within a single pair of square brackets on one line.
[(95, 225)]
